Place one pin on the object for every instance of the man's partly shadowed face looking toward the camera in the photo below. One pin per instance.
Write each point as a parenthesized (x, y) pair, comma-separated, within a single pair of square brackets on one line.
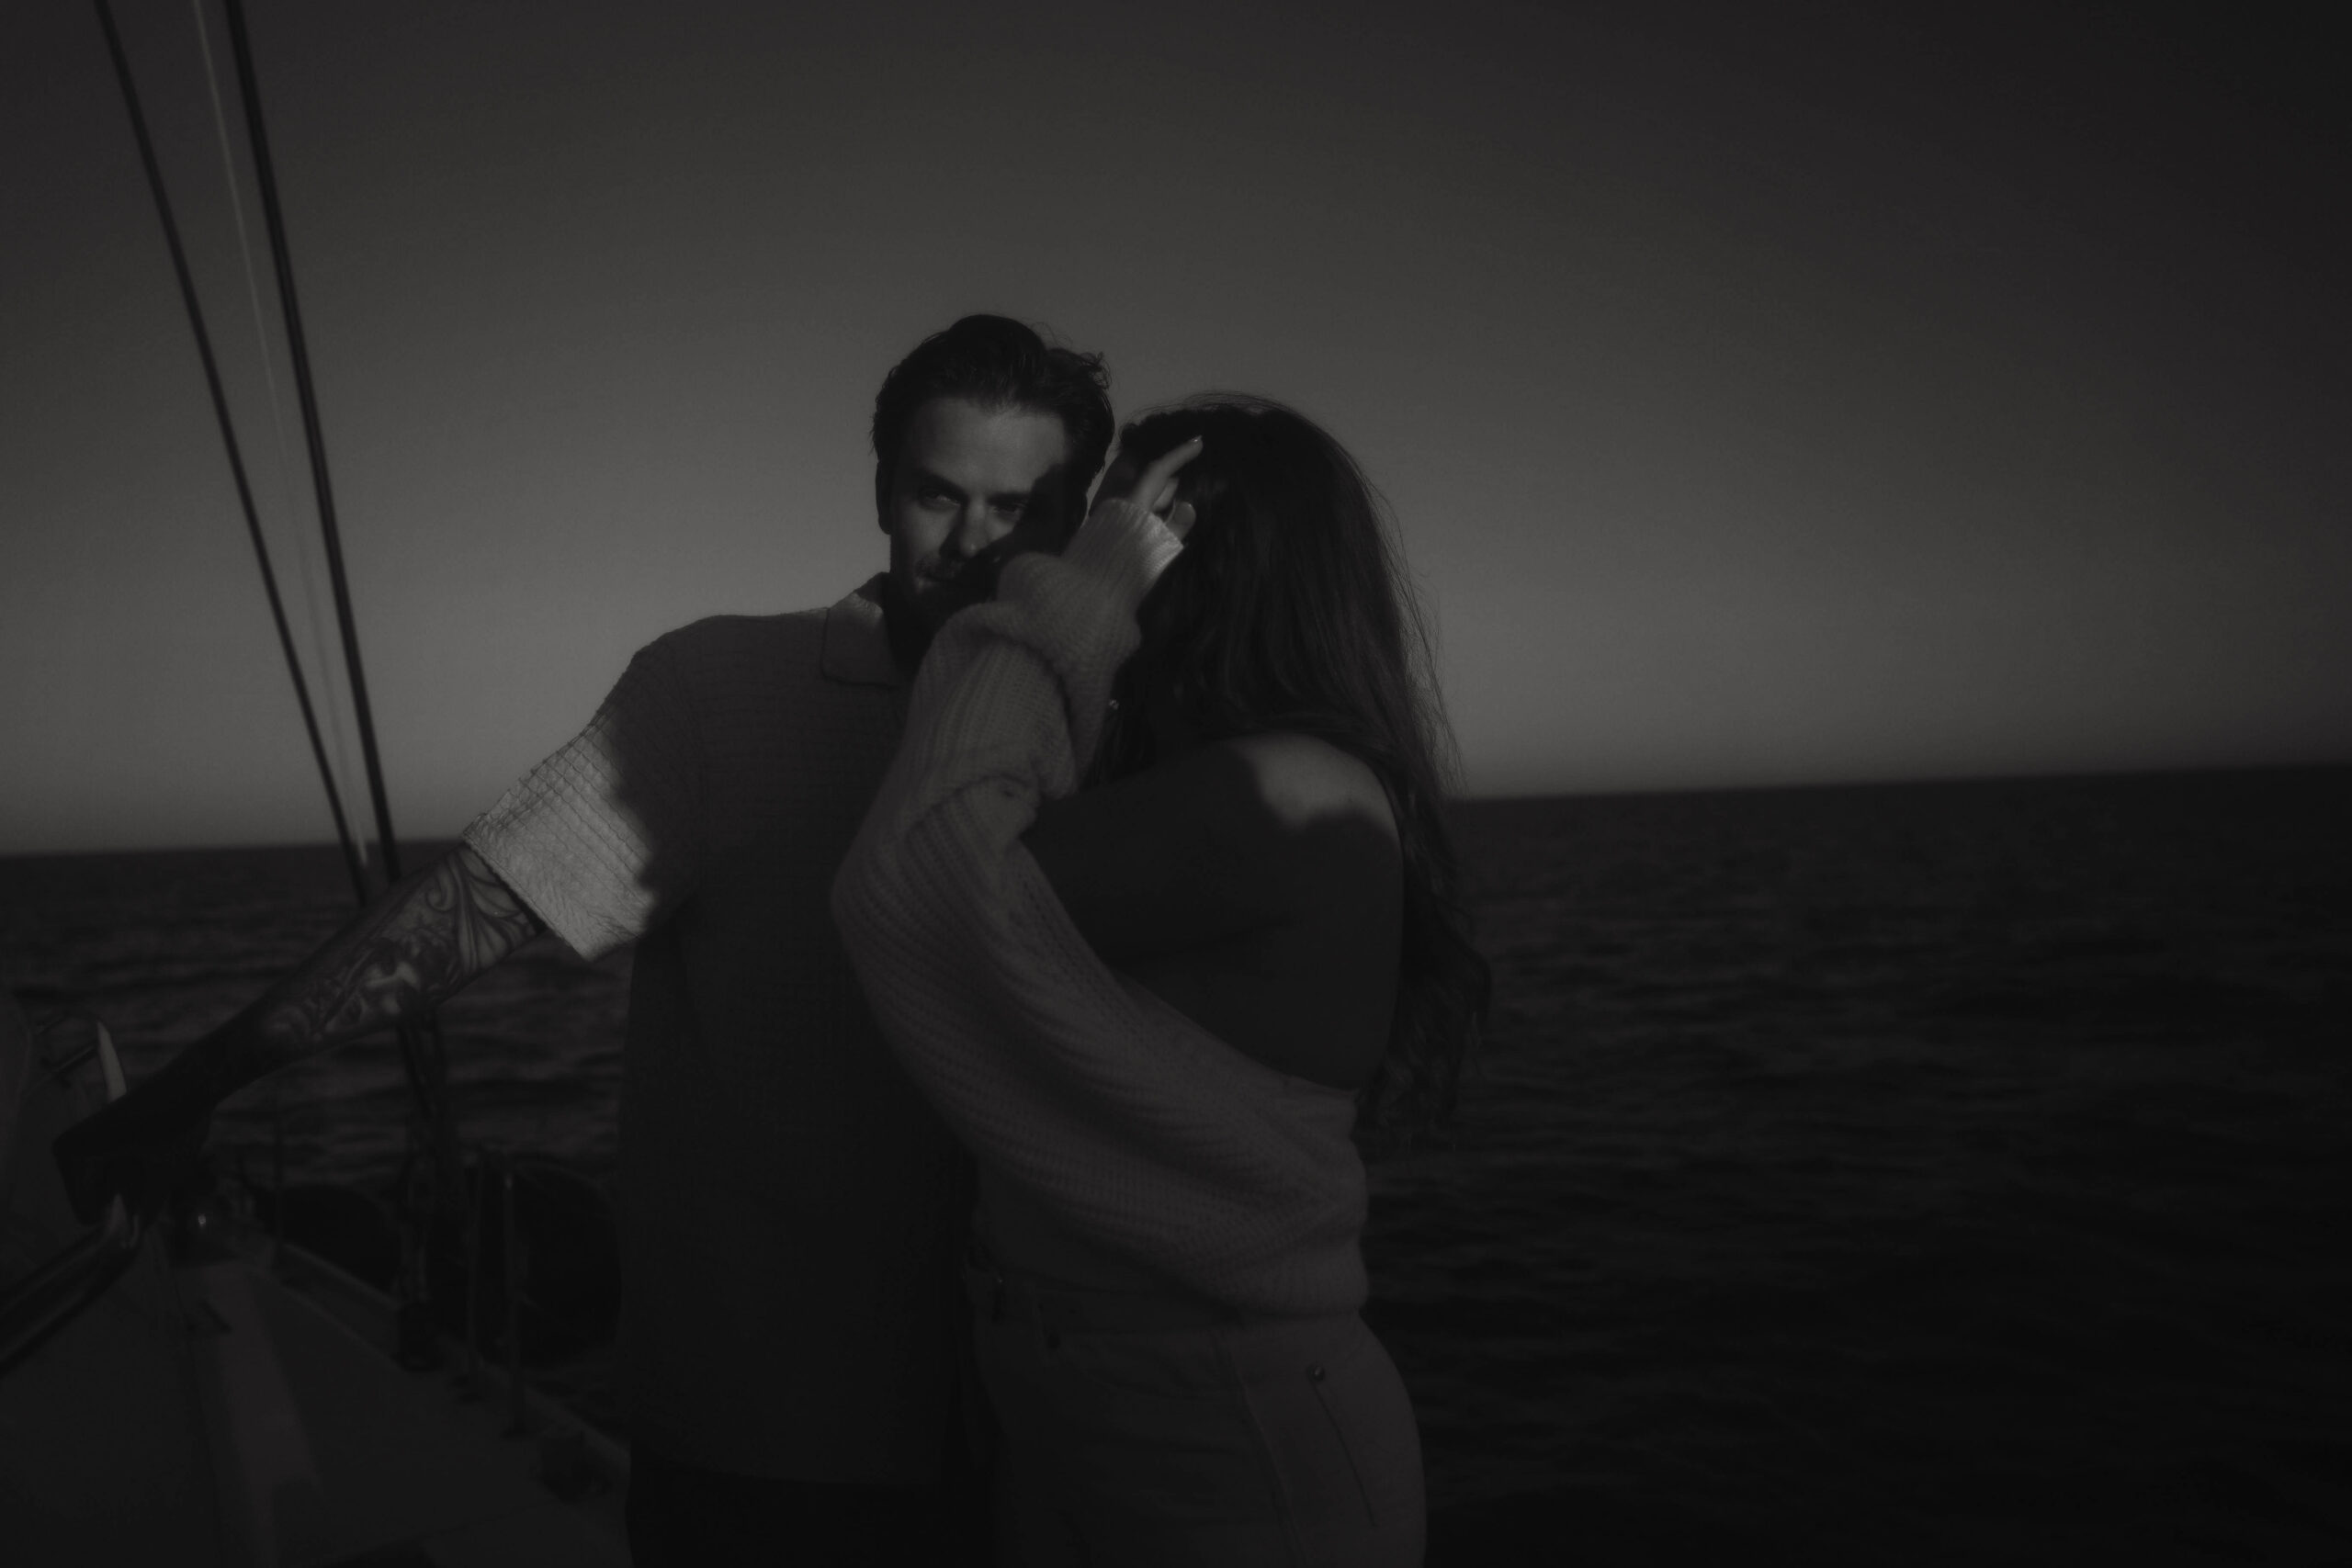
[(973, 481)]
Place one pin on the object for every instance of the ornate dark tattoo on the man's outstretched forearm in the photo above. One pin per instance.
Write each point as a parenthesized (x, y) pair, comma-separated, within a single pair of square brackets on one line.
[(408, 951)]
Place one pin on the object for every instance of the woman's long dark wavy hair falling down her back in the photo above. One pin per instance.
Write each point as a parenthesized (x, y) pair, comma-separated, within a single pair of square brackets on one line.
[(1290, 610)]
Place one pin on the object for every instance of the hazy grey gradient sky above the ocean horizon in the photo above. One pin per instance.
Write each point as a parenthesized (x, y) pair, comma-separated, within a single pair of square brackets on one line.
[(1765, 396)]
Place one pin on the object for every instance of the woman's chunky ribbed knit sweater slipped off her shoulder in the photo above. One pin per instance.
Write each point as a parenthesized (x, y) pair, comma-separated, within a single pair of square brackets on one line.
[(1123, 1118)]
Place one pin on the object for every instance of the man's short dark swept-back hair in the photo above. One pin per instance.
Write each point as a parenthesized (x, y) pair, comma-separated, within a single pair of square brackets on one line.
[(1001, 363)]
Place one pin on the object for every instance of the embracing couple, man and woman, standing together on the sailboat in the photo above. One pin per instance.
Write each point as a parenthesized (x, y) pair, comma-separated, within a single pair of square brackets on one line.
[(1022, 946)]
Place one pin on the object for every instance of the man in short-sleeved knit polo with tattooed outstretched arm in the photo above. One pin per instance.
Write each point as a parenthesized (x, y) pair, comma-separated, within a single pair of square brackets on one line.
[(791, 1212)]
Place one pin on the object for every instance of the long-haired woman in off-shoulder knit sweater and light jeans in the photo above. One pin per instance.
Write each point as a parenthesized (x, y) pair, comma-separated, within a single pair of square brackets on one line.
[(1161, 1007)]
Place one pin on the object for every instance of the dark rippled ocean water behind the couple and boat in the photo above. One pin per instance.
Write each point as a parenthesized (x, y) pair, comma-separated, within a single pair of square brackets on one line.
[(1935, 1174)]
